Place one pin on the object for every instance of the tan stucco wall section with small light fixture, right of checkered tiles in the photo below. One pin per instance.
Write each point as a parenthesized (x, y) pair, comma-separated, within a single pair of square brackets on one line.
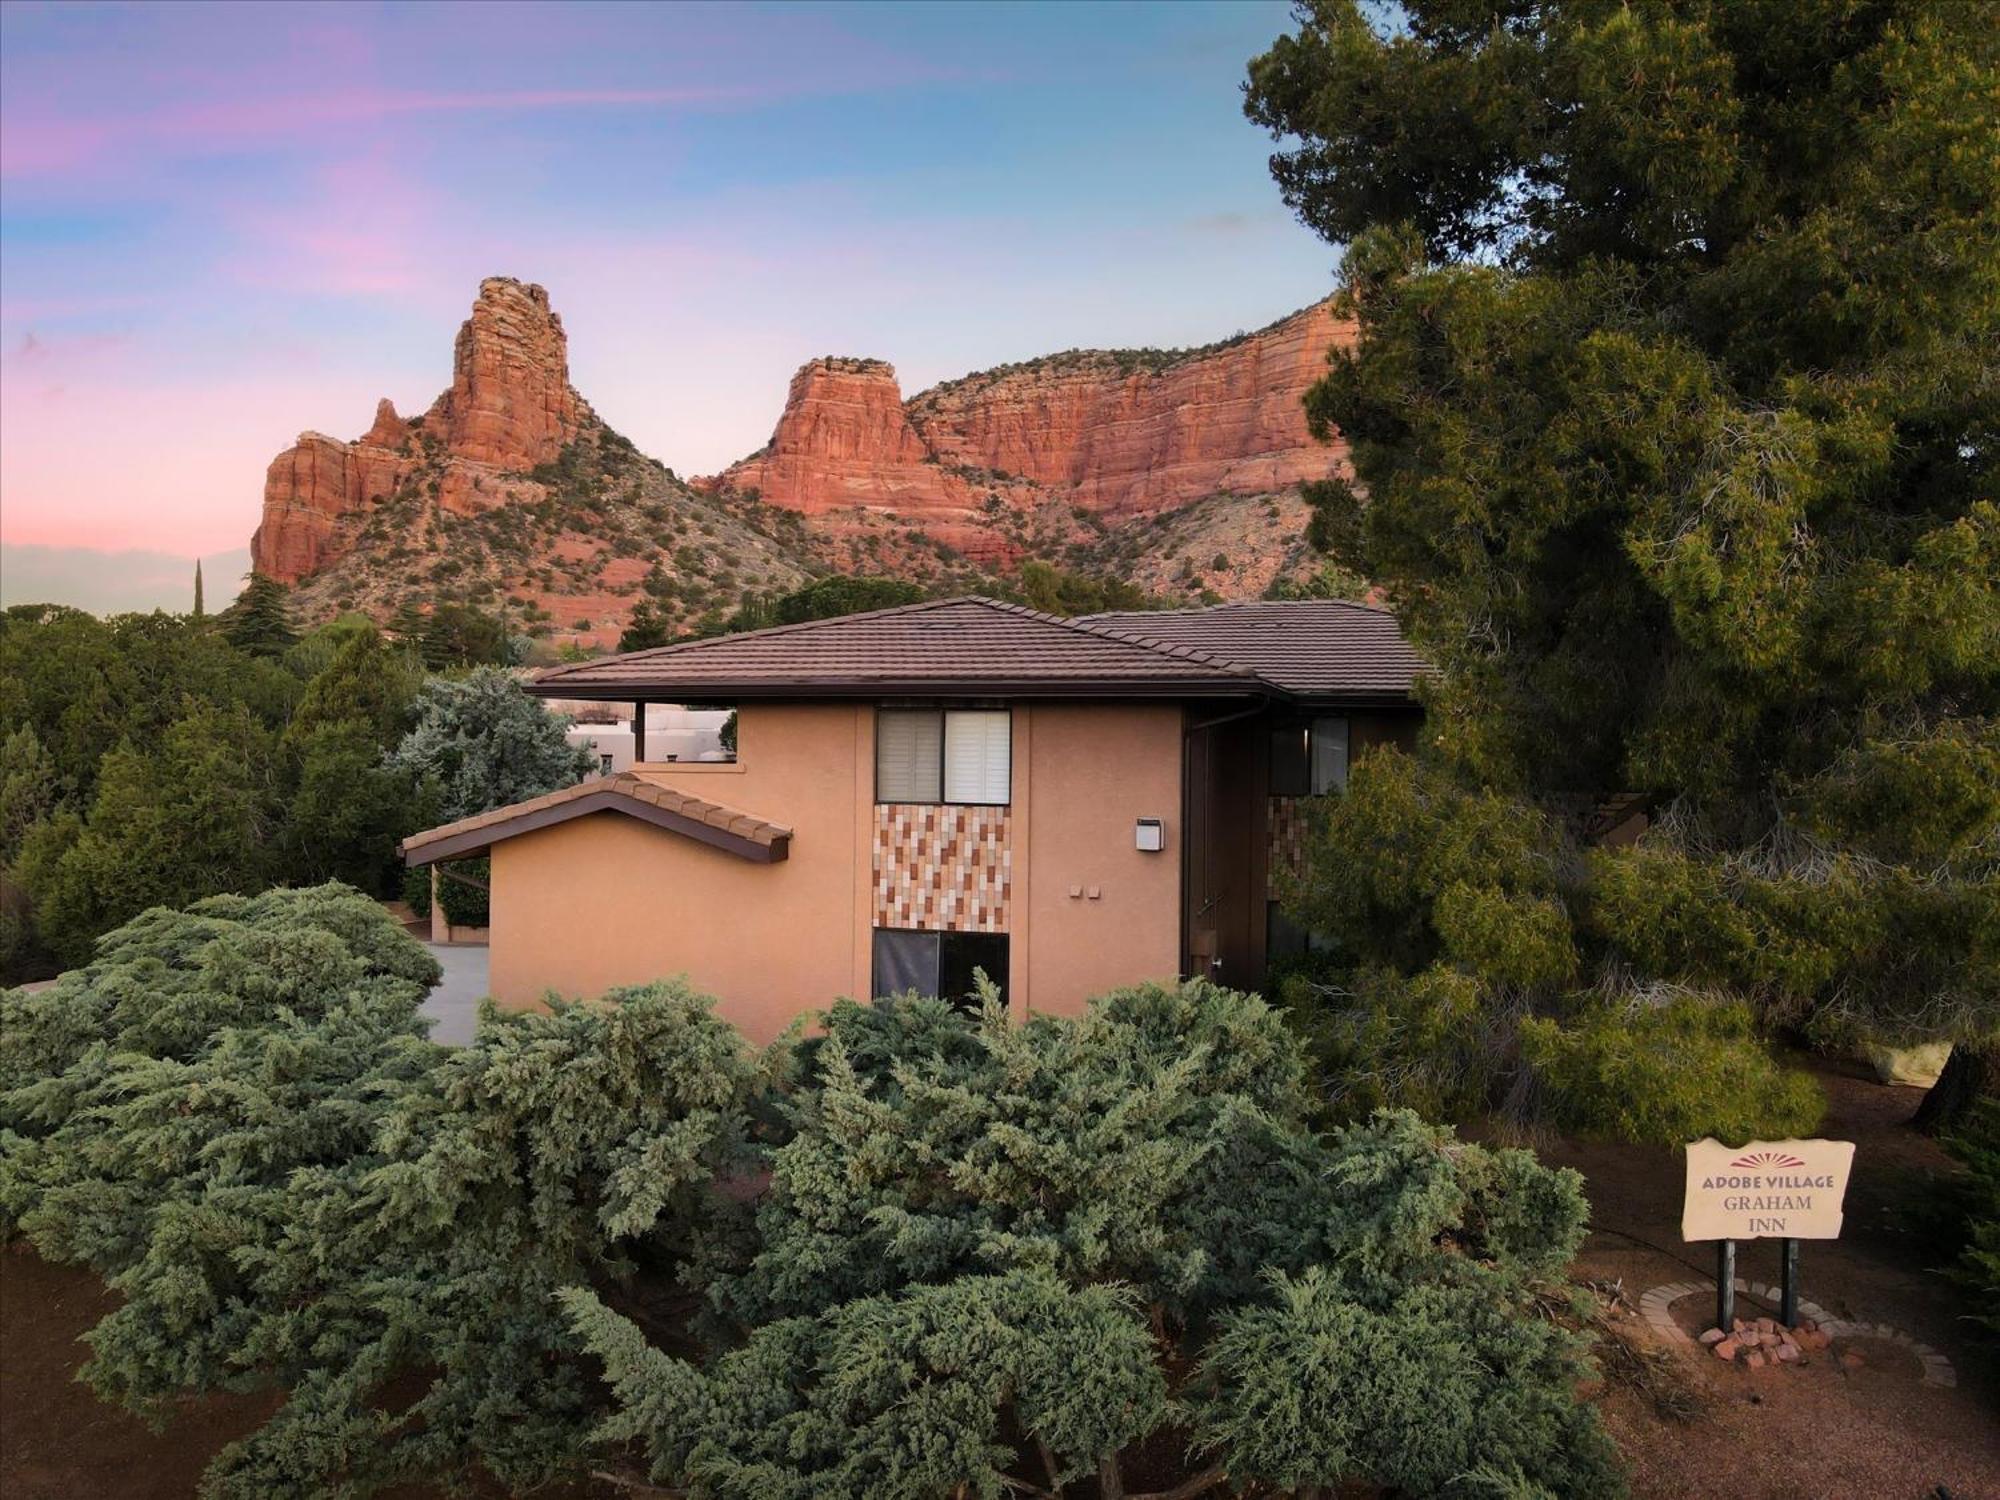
[(1091, 775)]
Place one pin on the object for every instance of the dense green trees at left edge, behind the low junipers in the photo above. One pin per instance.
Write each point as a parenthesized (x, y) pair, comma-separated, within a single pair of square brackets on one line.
[(147, 761)]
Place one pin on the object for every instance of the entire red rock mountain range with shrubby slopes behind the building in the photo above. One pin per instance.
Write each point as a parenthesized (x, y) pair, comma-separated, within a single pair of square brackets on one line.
[(1171, 469)]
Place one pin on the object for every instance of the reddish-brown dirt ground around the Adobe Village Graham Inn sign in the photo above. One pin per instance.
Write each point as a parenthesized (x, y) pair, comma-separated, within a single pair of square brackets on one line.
[(1823, 1431)]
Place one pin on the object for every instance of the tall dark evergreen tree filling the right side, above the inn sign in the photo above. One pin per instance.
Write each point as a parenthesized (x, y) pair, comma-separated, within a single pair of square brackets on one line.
[(1673, 411)]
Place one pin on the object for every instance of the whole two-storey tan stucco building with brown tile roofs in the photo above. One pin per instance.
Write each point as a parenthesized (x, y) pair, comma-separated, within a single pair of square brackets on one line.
[(917, 793)]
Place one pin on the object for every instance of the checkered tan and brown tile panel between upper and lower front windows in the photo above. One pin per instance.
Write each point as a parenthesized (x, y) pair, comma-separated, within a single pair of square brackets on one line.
[(943, 869)]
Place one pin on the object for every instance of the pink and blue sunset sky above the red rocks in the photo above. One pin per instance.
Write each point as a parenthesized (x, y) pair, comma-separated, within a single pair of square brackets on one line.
[(223, 225)]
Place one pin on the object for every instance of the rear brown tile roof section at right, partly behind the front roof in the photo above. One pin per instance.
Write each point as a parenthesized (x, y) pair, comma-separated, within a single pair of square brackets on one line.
[(1313, 649)]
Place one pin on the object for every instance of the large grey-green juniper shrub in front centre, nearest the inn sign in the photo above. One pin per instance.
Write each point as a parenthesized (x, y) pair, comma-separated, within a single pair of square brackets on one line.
[(995, 1251)]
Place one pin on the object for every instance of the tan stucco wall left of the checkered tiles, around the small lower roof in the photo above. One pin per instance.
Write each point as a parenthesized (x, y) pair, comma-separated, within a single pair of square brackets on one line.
[(613, 901)]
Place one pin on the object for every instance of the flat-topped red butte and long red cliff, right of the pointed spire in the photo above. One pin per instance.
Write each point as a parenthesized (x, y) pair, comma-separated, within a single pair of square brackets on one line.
[(1111, 433)]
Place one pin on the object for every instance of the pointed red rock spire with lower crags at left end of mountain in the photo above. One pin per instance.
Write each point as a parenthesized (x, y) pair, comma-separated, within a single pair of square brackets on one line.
[(511, 407)]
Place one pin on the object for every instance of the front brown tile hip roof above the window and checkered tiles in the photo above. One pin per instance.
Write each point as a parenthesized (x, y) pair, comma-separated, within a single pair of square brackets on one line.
[(961, 647)]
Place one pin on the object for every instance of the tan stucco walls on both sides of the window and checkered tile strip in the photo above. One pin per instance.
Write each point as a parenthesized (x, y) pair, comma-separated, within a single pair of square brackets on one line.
[(613, 901)]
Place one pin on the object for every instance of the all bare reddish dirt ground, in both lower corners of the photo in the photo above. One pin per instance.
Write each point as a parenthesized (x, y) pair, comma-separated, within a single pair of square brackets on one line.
[(1815, 1433)]
